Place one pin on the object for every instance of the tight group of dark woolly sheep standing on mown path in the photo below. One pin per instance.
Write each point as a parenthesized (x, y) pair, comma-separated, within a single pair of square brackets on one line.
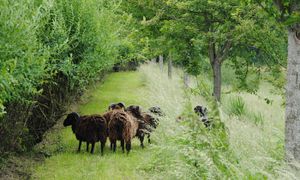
[(119, 123)]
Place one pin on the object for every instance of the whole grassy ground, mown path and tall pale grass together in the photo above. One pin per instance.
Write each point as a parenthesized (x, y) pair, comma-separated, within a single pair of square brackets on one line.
[(180, 150)]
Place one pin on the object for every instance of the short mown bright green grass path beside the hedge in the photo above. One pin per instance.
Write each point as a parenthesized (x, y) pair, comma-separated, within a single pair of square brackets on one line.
[(67, 164)]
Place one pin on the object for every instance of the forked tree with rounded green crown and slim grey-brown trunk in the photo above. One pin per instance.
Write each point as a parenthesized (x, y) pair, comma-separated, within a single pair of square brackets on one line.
[(230, 30)]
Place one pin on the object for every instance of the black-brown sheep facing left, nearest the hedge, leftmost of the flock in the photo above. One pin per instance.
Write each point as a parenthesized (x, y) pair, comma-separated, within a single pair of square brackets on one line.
[(89, 129)]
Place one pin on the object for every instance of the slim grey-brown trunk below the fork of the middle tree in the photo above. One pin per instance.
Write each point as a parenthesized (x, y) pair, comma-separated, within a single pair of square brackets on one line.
[(217, 79)]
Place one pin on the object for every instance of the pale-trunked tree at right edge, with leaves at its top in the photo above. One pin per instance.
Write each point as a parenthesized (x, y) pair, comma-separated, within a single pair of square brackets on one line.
[(289, 14)]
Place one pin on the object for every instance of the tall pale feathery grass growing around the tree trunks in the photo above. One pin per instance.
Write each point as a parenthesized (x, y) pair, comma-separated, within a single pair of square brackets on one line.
[(187, 150)]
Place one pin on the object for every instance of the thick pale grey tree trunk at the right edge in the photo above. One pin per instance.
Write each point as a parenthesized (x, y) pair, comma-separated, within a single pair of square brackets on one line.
[(292, 122)]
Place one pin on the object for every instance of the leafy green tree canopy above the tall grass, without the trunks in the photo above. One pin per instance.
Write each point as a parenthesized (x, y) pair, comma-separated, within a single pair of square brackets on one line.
[(199, 32)]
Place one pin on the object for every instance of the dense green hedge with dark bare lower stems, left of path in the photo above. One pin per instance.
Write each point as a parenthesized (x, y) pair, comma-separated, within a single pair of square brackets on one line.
[(50, 51)]
